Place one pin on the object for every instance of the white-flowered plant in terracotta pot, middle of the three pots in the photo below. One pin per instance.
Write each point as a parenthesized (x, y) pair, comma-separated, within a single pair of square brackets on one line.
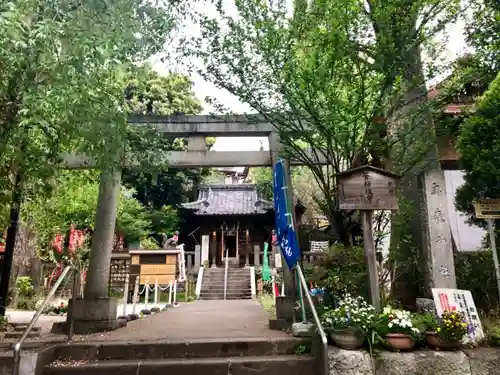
[(396, 328)]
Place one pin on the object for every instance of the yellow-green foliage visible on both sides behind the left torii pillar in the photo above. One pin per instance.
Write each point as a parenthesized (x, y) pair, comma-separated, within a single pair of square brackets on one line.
[(73, 201)]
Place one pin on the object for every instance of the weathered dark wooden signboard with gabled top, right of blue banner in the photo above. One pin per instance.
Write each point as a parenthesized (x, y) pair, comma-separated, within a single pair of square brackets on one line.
[(367, 188)]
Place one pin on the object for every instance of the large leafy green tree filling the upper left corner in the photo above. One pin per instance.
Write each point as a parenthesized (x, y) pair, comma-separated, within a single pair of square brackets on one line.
[(61, 87)]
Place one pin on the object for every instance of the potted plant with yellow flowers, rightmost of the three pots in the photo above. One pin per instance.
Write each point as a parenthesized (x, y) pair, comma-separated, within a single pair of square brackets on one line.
[(448, 332)]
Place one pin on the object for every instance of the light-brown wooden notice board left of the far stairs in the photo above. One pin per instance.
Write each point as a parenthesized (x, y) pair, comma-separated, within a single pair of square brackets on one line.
[(152, 265)]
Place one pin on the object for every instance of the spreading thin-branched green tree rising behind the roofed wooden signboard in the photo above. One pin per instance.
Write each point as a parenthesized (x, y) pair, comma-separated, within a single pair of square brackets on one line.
[(327, 85)]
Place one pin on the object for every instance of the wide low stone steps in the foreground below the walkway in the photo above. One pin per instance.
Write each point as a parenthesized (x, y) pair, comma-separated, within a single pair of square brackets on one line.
[(214, 357)]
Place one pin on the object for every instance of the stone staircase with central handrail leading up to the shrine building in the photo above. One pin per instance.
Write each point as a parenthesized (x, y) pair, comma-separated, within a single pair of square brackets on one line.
[(238, 283)]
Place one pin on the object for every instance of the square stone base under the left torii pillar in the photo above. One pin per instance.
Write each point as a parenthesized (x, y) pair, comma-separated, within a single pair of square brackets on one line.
[(91, 315)]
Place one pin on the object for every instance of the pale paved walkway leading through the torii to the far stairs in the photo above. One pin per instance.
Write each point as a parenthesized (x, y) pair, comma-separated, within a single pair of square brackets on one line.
[(241, 319)]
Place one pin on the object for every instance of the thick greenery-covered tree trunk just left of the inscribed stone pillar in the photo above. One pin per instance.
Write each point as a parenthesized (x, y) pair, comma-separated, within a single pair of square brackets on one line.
[(407, 226)]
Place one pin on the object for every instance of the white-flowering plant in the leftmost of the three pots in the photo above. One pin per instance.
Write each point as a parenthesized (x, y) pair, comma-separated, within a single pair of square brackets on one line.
[(353, 312)]
